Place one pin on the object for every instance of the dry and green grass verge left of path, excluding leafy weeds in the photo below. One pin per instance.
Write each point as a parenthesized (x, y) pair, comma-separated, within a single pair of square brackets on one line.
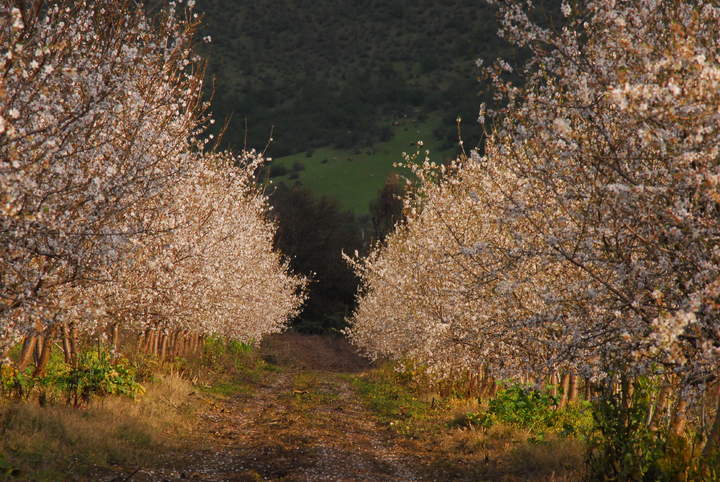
[(50, 440)]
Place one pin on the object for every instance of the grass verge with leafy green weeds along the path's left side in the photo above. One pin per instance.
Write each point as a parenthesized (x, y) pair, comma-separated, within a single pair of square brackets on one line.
[(110, 411)]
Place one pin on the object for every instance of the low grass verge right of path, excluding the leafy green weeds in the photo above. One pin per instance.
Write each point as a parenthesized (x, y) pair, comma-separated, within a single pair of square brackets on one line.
[(455, 449)]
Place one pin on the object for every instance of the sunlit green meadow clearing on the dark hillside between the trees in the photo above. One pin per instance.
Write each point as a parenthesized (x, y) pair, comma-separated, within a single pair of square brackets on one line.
[(355, 176)]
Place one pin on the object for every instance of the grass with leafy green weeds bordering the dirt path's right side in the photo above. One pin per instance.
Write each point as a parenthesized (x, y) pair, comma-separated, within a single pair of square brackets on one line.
[(512, 437)]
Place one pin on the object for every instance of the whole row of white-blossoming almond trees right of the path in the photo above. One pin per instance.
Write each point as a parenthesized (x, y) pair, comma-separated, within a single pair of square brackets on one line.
[(604, 166)]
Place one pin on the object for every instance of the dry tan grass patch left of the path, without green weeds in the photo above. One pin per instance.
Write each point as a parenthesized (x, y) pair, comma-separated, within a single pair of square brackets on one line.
[(62, 443)]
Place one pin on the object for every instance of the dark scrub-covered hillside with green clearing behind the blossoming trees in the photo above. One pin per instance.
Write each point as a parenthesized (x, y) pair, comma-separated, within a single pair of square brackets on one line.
[(331, 77)]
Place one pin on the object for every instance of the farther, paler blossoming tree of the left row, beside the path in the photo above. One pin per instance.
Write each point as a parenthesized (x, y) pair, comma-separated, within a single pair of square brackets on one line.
[(211, 268)]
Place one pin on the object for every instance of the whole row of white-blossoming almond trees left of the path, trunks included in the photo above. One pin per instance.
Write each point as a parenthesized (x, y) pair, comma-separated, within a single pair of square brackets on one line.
[(111, 212)]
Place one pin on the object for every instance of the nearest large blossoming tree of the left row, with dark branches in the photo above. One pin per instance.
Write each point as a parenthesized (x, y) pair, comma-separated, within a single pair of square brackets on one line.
[(100, 109)]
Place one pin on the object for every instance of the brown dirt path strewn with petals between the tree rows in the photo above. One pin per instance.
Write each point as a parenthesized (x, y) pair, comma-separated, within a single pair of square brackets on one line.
[(303, 423)]
